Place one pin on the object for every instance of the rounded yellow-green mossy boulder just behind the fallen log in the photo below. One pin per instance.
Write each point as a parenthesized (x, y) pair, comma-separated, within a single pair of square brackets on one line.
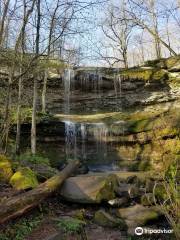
[(23, 179)]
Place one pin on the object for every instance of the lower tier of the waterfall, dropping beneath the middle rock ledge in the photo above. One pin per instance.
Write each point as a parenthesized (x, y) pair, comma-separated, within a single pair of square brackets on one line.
[(78, 135)]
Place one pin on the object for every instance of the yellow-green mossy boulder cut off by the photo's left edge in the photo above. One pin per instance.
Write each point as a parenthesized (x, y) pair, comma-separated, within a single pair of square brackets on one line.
[(5, 169)]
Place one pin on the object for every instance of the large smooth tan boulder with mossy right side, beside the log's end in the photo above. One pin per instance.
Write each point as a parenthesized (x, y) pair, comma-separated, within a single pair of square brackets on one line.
[(89, 188)]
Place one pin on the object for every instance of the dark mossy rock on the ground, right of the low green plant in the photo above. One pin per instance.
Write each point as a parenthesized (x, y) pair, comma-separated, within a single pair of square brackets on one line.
[(107, 220)]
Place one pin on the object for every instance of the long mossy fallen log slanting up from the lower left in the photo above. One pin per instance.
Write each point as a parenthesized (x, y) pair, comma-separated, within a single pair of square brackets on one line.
[(20, 204)]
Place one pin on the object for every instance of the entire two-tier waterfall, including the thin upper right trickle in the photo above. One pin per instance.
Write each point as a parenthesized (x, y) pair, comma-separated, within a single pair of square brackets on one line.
[(85, 140)]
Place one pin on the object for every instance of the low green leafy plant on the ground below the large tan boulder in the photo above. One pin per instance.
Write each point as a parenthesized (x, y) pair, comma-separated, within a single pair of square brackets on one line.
[(71, 225)]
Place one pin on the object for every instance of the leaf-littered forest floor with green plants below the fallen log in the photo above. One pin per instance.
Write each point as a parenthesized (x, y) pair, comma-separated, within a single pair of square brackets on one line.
[(52, 220)]
